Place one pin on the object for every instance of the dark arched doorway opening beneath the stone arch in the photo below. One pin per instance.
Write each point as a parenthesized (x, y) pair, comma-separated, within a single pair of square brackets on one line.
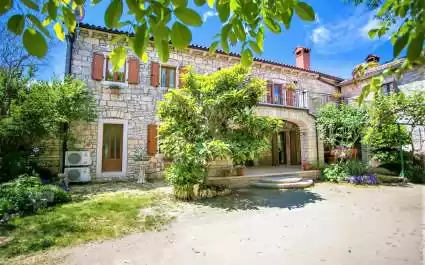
[(286, 145)]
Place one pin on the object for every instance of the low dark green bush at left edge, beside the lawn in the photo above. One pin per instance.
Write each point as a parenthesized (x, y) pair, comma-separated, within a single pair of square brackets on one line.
[(26, 194)]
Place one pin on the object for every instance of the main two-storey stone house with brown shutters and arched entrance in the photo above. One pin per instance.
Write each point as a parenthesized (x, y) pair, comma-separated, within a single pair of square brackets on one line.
[(127, 102)]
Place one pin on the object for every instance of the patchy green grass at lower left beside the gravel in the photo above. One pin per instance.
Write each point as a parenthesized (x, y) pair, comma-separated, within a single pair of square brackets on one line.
[(101, 216)]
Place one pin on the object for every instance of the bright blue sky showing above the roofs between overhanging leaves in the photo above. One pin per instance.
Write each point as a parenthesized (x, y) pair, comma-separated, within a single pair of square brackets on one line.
[(338, 39)]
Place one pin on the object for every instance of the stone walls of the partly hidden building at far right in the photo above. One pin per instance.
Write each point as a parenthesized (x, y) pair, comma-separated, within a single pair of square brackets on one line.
[(412, 80)]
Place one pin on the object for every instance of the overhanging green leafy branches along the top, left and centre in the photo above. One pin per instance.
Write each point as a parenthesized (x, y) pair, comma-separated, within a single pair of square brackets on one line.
[(243, 22)]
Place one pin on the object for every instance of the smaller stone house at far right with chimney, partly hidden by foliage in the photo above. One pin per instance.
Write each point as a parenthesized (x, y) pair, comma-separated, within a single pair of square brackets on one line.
[(412, 80)]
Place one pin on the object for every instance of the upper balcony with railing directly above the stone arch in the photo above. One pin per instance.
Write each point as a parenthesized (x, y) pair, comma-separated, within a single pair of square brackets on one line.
[(300, 99)]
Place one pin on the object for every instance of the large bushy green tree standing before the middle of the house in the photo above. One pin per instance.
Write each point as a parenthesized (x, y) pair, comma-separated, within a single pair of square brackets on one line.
[(212, 117)]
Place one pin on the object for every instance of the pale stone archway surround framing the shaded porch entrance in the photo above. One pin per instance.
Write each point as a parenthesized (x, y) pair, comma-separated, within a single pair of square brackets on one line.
[(311, 147)]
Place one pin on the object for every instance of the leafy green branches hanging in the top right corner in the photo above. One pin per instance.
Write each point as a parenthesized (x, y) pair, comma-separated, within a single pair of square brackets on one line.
[(404, 20)]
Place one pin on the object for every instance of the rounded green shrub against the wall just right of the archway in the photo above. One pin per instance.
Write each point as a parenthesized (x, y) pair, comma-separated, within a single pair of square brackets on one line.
[(341, 125)]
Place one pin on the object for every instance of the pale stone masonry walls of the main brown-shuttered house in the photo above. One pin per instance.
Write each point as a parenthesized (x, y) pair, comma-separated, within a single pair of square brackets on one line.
[(136, 105)]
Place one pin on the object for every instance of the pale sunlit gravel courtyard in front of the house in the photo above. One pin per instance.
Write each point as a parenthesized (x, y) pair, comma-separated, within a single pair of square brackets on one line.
[(327, 224)]
